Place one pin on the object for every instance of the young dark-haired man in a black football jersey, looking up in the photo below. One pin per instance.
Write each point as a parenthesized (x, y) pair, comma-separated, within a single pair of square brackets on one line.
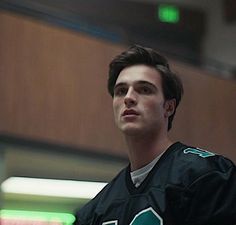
[(166, 183)]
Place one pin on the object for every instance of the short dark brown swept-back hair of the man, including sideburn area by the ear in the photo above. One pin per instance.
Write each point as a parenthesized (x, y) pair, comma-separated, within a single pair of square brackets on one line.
[(136, 55)]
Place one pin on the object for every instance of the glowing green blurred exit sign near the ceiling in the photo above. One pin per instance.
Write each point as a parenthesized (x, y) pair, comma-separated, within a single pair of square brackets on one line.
[(168, 13)]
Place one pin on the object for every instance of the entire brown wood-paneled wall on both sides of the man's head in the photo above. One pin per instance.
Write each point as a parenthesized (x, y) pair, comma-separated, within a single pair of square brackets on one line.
[(53, 88)]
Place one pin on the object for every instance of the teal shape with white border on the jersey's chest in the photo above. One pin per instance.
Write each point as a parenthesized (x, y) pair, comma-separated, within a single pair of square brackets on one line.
[(147, 217)]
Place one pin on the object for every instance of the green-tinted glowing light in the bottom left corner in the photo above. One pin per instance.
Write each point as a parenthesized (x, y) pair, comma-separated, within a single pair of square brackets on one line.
[(32, 217)]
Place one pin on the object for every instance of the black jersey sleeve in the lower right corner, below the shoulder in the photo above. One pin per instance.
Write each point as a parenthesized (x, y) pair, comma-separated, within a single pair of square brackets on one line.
[(212, 198)]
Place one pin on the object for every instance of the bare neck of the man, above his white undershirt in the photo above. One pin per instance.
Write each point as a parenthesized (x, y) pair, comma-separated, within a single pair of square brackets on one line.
[(142, 150)]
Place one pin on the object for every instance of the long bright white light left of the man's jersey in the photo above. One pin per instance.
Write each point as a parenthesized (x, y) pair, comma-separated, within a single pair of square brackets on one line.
[(52, 187)]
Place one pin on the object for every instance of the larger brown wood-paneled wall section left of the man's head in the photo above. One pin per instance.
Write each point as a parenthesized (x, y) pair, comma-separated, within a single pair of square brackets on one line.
[(53, 85)]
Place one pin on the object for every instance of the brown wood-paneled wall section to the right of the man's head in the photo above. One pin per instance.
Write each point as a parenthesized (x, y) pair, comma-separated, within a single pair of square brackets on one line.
[(206, 116)]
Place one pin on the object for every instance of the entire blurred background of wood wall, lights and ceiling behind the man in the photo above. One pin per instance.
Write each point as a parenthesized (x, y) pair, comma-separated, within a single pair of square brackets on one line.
[(56, 119)]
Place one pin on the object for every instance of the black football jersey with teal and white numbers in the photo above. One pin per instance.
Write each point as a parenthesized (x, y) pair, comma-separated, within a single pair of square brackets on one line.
[(187, 186)]
